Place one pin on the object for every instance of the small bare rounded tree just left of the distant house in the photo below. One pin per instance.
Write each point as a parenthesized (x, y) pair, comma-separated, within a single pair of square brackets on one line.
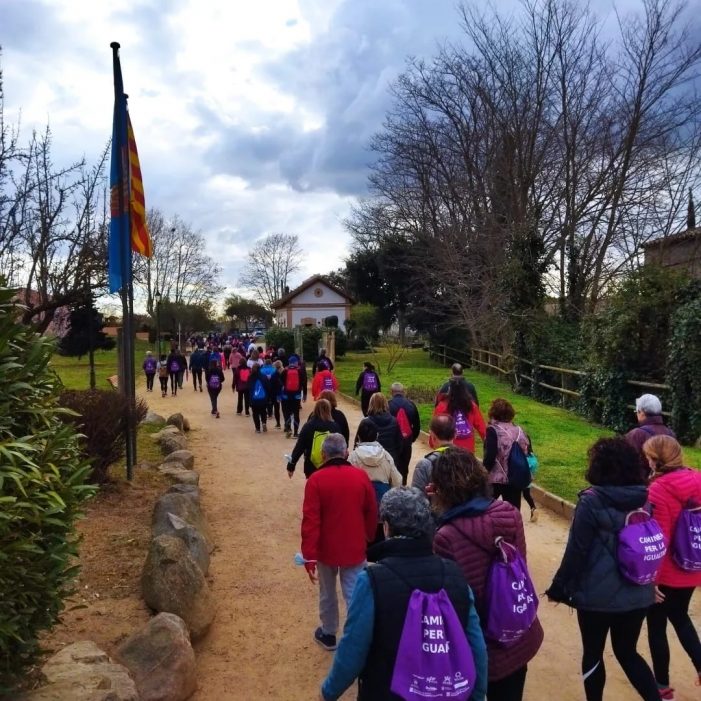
[(270, 264)]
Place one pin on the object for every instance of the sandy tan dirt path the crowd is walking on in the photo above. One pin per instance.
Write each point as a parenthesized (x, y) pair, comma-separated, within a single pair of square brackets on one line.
[(260, 645)]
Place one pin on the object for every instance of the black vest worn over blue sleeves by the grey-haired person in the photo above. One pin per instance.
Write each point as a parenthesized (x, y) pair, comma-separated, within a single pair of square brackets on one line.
[(413, 567)]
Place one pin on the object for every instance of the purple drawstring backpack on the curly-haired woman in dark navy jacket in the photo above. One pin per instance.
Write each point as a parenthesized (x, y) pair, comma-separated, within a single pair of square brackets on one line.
[(641, 547)]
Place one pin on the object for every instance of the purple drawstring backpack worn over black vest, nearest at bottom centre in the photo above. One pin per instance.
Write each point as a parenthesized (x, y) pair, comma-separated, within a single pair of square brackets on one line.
[(434, 659)]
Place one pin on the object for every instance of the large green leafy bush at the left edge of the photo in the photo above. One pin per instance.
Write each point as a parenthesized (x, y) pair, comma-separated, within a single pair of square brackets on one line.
[(42, 489)]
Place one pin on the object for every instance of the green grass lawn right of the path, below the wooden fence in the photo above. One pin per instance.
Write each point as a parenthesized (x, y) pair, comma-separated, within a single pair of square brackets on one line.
[(560, 438)]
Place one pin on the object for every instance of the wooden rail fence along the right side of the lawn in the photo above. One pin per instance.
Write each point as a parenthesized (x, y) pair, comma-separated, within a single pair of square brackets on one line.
[(507, 364)]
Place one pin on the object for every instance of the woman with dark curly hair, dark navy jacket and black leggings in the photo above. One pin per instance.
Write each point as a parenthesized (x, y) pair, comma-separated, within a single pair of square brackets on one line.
[(589, 578)]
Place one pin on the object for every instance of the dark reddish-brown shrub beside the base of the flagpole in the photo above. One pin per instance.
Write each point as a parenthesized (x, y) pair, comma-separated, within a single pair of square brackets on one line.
[(100, 416)]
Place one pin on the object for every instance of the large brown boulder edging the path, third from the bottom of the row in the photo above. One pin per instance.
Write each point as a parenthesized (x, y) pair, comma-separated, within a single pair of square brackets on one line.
[(173, 582)]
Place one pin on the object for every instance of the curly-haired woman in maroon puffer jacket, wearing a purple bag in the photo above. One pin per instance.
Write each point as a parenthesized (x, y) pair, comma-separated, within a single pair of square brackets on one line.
[(469, 522)]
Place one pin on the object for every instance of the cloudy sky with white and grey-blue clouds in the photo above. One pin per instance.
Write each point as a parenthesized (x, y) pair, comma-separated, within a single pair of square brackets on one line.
[(250, 117)]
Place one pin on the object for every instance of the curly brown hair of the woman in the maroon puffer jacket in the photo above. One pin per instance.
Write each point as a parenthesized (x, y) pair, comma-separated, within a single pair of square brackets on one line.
[(457, 477)]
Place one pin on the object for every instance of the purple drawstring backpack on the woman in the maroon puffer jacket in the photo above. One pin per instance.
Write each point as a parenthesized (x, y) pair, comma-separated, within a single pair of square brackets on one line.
[(510, 598)]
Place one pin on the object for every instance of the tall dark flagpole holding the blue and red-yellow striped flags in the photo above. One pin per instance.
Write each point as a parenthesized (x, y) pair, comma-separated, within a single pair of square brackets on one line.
[(127, 386)]
